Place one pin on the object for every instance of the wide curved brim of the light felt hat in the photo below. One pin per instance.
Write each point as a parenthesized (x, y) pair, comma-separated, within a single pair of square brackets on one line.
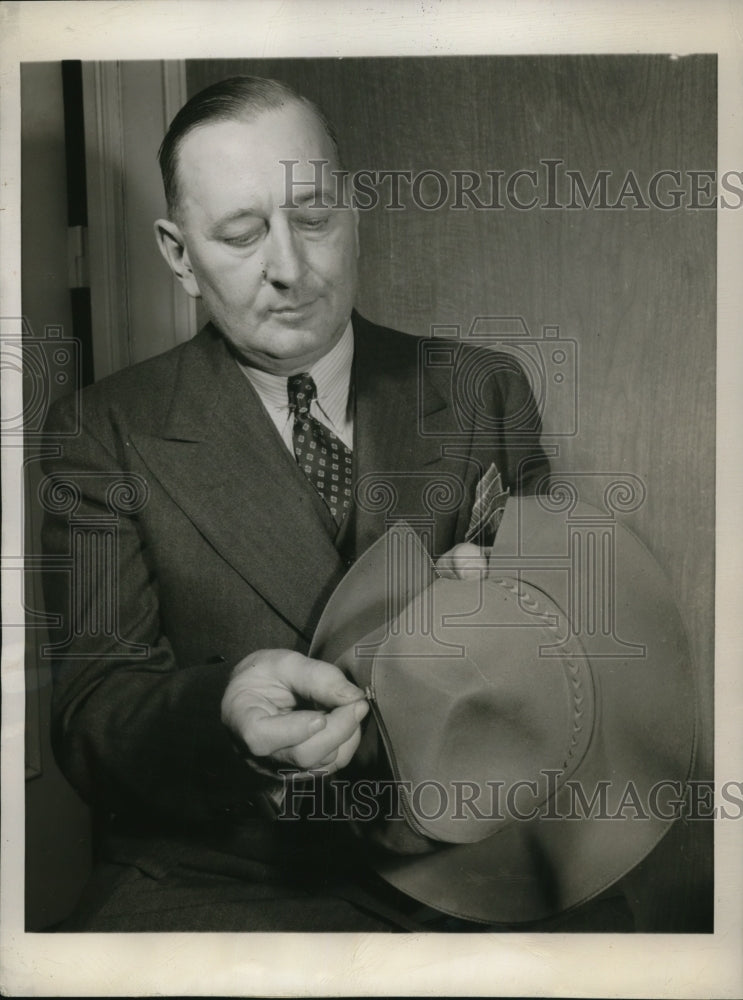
[(641, 749)]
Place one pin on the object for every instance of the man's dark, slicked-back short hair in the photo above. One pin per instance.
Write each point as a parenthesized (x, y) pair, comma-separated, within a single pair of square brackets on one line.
[(238, 98)]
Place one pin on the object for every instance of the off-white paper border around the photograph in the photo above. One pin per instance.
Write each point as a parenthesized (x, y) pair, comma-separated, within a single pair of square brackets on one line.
[(362, 965)]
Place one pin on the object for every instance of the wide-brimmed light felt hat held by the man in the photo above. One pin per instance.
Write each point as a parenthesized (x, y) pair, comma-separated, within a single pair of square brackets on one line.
[(537, 723)]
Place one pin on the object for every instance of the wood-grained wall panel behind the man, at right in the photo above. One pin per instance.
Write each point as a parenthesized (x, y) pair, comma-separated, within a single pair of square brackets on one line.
[(634, 288)]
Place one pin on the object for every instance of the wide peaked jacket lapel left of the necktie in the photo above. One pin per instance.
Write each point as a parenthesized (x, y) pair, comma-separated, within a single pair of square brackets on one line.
[(223, 463)]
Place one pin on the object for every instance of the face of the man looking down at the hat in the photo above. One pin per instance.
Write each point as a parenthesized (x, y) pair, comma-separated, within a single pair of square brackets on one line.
[(279, 282)]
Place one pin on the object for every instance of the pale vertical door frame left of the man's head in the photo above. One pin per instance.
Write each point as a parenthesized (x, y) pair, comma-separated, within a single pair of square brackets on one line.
[(134, 314)]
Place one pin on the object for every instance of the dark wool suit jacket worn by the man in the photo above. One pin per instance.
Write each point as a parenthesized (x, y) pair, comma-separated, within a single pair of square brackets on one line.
[(231, 550)]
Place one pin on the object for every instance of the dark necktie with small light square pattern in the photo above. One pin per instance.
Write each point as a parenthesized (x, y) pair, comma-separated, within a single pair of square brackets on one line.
[(322, 456)]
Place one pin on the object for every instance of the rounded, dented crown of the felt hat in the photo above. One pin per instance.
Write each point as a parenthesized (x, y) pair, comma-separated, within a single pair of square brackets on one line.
[(467, 717)]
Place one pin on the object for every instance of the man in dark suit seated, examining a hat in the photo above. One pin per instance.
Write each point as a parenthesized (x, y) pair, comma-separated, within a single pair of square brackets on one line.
[(183, 692)]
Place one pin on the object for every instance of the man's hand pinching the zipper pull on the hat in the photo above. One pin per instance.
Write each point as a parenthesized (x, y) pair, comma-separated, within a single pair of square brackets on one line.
[(294, 712)]
